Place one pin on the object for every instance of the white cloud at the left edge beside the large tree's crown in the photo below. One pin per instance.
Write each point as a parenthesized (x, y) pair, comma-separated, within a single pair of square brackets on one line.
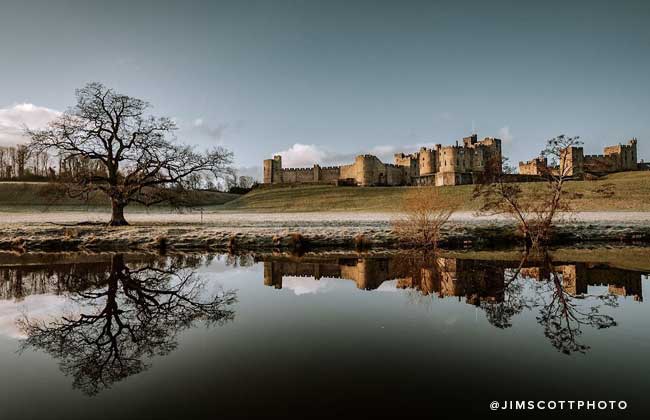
[(15, 118)]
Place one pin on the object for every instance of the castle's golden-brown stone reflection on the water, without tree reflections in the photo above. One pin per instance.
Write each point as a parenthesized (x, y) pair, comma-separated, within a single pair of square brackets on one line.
[(475, 280)]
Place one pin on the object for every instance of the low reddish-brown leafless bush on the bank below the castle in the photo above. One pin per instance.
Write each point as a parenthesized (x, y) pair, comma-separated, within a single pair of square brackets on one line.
[(424, 212)]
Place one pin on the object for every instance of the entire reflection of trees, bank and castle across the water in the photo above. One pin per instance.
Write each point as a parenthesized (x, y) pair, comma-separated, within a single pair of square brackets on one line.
[(124, 309)]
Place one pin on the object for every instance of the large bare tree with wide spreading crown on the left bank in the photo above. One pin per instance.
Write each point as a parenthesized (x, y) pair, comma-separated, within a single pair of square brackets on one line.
[(138, 157)]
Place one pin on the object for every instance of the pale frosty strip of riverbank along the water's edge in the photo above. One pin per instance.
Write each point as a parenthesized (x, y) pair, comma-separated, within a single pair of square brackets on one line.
[(296, 231)]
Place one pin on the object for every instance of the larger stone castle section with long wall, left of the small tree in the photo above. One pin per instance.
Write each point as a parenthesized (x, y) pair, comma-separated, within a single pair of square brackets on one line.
[(441, 165)]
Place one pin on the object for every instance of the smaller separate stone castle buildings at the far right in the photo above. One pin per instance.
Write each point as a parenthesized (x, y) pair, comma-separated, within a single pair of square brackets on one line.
[(618, 158)]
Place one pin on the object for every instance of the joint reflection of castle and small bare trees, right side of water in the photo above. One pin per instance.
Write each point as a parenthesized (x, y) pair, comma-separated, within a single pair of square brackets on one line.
[(559, 293)]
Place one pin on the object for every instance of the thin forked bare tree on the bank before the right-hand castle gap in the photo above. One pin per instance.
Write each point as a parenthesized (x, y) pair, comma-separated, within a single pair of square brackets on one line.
[(537, 210)]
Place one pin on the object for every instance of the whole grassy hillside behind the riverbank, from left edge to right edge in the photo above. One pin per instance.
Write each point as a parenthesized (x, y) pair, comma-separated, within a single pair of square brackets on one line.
[(631, 193)]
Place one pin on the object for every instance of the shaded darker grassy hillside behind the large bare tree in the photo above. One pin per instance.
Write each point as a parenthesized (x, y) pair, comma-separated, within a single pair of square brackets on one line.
[(23, 195)]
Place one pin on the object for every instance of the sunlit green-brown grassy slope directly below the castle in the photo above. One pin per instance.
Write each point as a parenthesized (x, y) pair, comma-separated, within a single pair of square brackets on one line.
[(631, 193)]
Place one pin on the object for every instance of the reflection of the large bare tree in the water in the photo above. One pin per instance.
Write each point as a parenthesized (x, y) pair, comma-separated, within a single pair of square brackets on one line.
[(135, 313)]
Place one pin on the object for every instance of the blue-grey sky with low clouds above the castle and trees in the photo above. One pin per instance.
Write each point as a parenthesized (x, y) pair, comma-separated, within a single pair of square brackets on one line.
[(326, 80)]
